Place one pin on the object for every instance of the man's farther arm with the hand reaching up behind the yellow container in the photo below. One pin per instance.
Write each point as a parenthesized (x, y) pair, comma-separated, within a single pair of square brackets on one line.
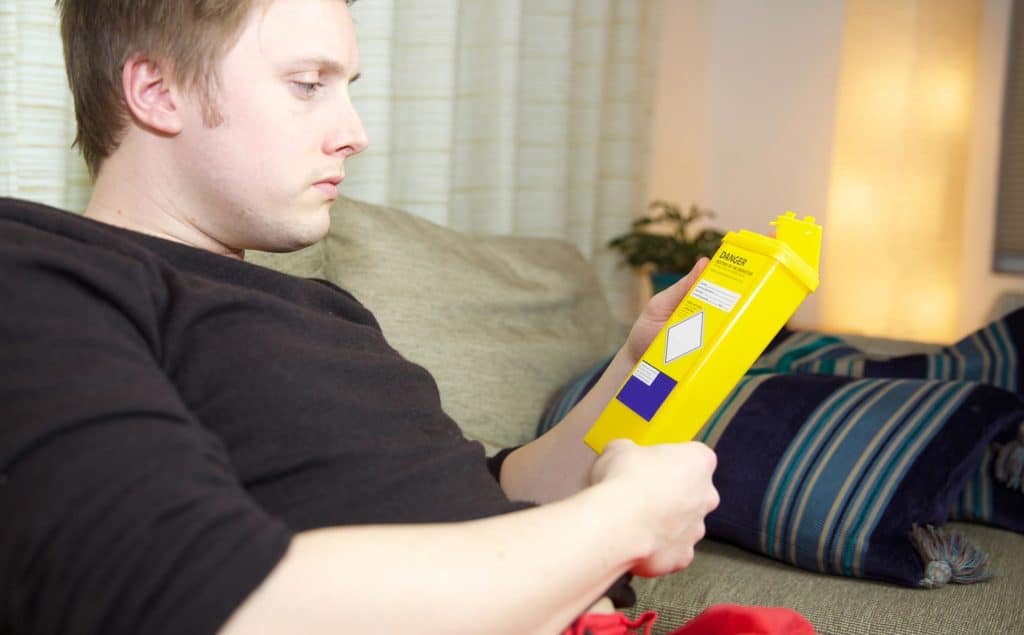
[(559, 464)]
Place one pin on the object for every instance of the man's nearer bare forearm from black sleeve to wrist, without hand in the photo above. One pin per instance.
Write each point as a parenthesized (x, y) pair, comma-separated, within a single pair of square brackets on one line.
[(530, 572)]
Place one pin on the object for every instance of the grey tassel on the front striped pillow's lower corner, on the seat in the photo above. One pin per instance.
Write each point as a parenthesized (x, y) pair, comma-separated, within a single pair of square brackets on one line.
[(949, 558)]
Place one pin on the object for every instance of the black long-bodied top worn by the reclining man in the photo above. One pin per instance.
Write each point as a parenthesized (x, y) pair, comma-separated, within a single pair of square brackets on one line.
[(169, 417)]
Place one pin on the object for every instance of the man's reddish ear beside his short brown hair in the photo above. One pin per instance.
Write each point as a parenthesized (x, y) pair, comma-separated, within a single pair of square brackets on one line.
[(152, 96)]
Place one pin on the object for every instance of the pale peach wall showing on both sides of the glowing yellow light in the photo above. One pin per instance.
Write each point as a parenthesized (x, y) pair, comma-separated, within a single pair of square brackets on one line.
[(744, 122)]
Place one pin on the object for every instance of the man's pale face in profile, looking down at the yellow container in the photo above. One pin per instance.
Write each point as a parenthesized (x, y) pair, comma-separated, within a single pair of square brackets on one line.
[(266, 178)]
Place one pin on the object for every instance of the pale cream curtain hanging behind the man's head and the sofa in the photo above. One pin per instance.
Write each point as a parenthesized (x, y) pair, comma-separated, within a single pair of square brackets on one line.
[(519, 117)]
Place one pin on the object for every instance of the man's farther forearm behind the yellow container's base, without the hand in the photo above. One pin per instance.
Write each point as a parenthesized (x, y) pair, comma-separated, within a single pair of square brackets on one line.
[(559, 464)]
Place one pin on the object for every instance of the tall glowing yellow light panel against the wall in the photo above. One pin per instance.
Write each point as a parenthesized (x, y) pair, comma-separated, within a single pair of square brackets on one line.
[(898, 185)]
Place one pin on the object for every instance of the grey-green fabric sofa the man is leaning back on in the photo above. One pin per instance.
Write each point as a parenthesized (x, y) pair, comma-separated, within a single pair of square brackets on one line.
[(505, 323)]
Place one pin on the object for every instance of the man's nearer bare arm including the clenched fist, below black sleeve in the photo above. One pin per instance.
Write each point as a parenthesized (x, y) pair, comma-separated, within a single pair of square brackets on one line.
[(530, 572)]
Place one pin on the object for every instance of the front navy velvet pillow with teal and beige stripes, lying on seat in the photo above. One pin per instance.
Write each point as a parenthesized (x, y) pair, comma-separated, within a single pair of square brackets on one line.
[(832, 474)]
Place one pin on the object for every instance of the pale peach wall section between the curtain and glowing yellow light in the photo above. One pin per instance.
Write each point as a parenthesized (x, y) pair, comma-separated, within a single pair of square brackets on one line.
[(744, 110)]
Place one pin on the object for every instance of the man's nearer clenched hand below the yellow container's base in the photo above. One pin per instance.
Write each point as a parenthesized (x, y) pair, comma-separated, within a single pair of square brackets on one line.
[(668, 490)]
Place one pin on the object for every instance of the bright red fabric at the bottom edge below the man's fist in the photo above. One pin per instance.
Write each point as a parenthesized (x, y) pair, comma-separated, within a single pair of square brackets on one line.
[(717, 620)]
